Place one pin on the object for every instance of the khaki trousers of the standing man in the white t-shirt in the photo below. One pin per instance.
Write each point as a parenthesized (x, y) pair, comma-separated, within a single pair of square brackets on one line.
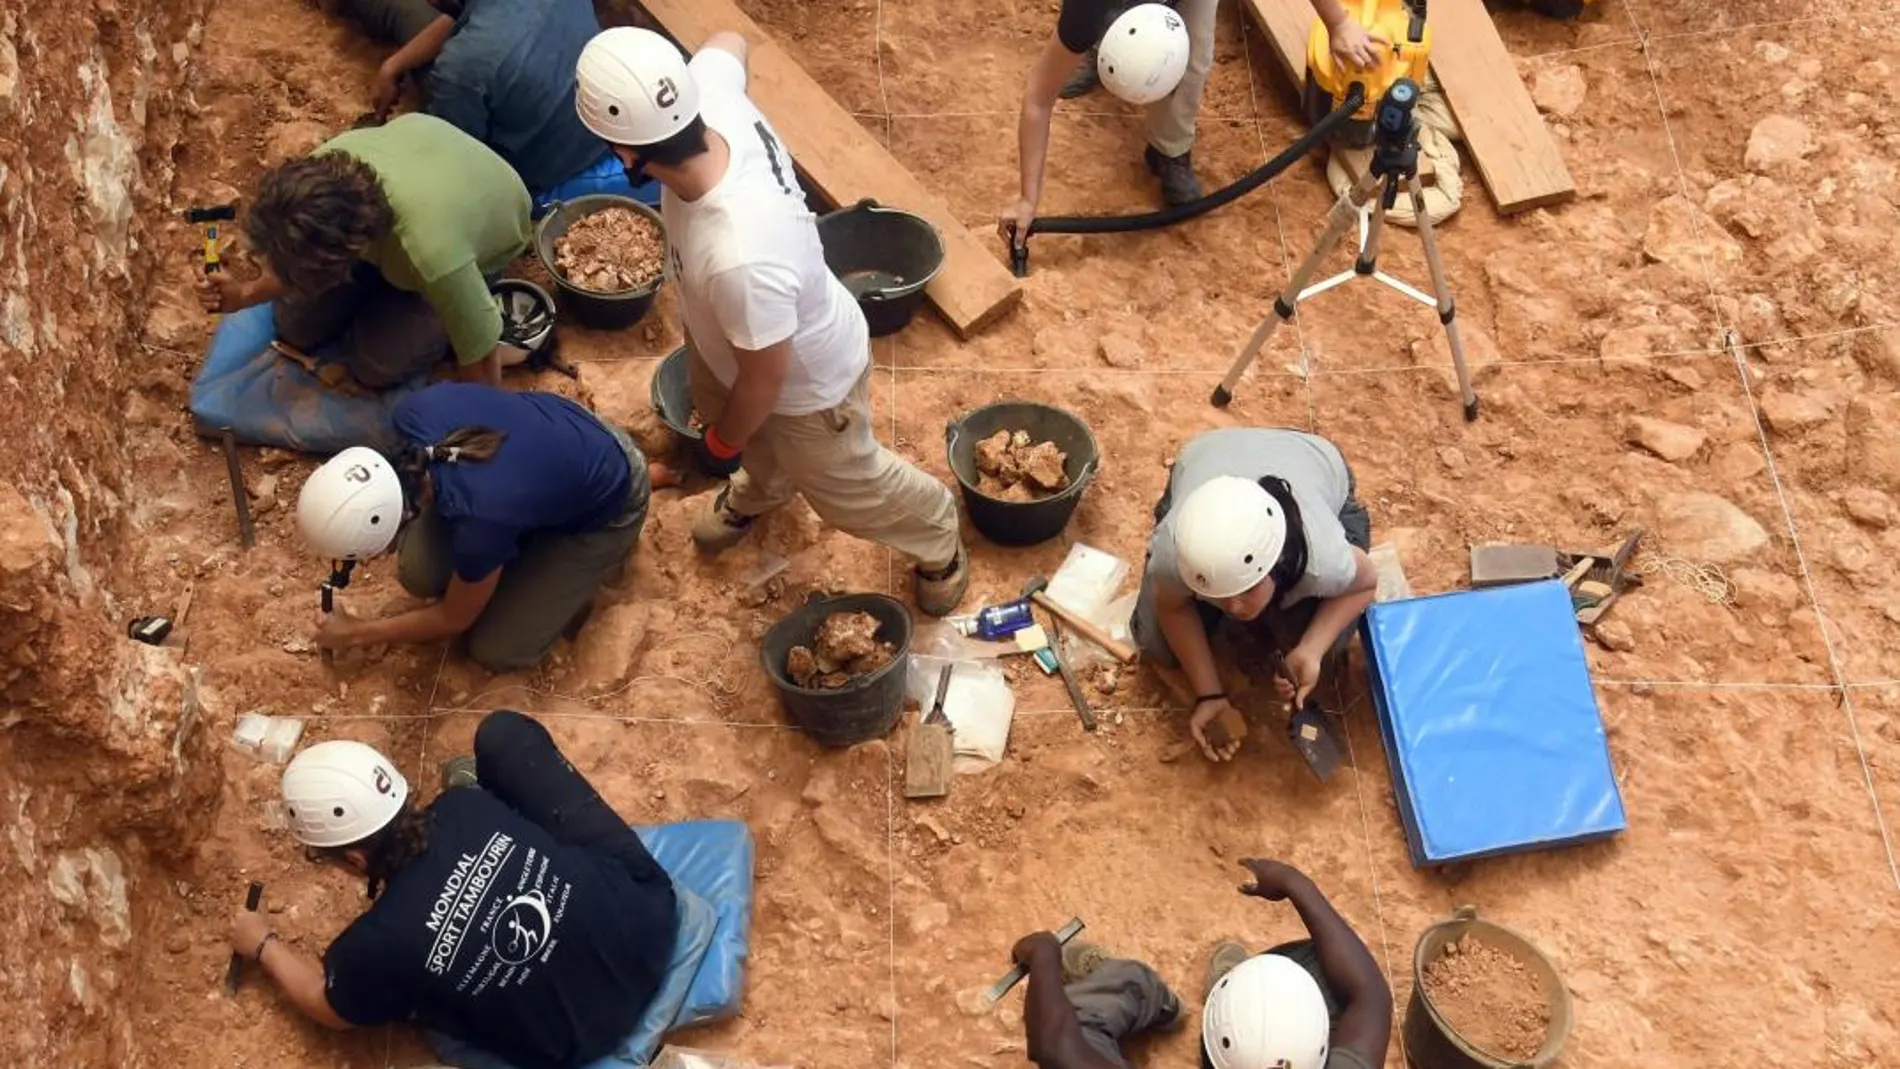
[(846, 476)]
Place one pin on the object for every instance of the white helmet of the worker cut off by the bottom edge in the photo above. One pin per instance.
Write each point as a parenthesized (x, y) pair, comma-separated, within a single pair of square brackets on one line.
[(1268, 1013)]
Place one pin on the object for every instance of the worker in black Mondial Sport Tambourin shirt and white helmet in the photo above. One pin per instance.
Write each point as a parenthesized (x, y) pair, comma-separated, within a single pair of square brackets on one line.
[(516, 918)]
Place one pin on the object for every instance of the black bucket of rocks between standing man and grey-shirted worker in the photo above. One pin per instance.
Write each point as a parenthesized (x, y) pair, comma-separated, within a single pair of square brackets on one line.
[(1023, 523)]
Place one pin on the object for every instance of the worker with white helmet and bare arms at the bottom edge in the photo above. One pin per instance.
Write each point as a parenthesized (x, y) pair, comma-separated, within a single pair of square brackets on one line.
[(1318, 1003)]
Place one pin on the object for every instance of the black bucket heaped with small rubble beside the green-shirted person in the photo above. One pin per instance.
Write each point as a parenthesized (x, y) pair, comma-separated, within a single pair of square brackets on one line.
[(607, 253)]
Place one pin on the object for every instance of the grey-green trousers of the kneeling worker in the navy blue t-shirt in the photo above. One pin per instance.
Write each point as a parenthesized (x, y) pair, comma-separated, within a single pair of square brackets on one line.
[(544, 590)]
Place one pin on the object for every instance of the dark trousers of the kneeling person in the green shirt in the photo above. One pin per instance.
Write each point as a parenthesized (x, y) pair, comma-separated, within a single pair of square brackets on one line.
[(387, 335)]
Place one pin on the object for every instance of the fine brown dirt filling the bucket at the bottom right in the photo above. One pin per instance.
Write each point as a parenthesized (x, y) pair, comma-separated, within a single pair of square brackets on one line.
[(1489, 998)]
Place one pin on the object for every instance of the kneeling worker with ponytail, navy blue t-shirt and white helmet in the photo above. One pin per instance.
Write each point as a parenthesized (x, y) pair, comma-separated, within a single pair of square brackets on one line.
[(522, 506)]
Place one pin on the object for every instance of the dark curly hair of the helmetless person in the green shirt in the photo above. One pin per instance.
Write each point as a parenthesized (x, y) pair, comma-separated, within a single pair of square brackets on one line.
[(314, 217)]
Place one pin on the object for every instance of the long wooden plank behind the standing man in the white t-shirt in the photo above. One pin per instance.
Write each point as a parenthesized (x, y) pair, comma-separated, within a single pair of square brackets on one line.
[(846, 164)]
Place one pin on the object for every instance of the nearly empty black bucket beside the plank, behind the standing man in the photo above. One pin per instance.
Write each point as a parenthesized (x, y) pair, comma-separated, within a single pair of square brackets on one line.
[(884, 257)]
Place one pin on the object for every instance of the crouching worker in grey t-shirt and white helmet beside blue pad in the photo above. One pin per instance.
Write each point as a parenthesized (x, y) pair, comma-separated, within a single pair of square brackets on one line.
[(1259, 527)]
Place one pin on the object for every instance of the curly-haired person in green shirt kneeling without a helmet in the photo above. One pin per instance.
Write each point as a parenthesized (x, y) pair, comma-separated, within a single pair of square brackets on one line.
[(383, 240)]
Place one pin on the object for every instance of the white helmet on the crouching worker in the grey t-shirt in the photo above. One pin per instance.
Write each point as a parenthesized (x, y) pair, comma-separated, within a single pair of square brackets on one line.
[(1228, 534)]
